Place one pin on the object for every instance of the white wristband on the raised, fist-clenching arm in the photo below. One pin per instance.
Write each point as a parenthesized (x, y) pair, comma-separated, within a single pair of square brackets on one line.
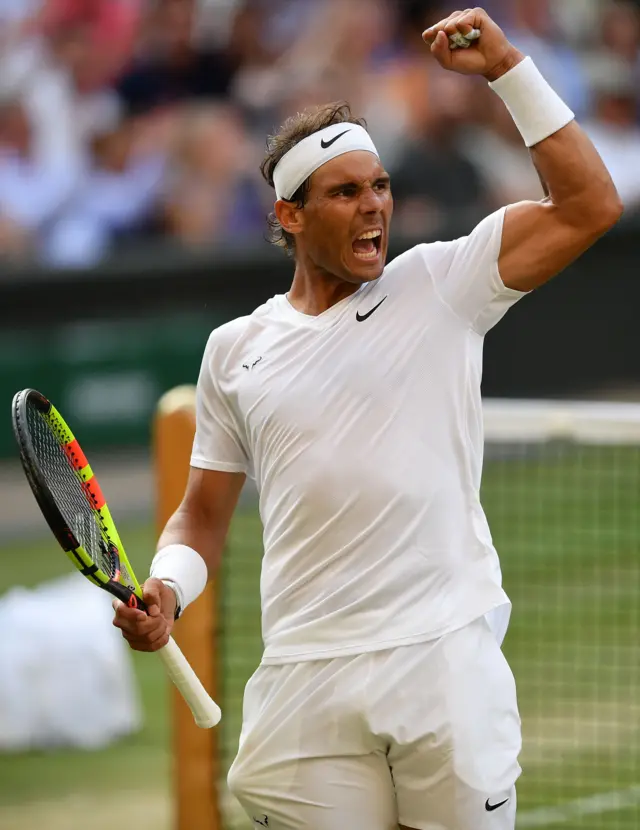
[(537, 110)]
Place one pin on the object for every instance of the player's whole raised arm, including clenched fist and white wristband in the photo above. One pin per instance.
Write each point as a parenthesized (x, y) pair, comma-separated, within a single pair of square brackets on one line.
[(539, 238)]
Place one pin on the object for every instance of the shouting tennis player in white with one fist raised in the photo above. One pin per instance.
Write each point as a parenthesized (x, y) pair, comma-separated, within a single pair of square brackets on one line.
[(383, 699)]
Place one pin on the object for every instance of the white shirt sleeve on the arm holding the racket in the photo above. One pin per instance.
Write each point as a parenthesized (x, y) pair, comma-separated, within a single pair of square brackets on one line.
[(217, 444)]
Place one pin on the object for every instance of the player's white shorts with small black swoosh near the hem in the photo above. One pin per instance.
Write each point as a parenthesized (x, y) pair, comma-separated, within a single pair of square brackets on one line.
[(426, 736)]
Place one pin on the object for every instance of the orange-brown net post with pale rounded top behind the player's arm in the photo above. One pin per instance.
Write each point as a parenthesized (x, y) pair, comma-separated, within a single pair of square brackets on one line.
[(196, 758)]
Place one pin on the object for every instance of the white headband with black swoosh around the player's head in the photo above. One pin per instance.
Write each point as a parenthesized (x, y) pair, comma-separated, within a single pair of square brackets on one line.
[(312, 152)]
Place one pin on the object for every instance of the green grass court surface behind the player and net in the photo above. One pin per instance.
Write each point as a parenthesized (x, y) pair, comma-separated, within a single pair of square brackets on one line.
[(566, 522)]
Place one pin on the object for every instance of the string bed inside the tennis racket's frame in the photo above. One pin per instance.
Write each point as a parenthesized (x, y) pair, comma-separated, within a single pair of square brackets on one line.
[(66, 488)]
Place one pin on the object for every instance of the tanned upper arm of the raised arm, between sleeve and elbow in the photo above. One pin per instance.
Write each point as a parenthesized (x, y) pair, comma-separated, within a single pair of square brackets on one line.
[(538, 243)]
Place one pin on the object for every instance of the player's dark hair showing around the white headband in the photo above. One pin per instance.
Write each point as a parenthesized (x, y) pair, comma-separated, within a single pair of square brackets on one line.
[(294, 129)]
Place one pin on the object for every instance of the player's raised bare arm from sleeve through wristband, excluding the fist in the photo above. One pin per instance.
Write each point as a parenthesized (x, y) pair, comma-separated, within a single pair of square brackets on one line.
[(540, 239)]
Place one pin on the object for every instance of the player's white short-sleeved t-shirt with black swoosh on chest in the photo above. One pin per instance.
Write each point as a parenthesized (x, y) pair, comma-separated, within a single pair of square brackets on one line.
[(365, 440)]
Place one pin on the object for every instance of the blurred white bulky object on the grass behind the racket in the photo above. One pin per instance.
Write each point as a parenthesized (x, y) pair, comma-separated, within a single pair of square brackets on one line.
[(66, 678)]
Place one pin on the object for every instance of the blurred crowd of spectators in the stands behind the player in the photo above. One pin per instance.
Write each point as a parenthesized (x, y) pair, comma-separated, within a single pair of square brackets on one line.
[(126, 122)]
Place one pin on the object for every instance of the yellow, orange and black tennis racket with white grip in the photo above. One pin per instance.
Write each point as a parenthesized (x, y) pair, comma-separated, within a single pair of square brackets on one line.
[(71, 501)]
